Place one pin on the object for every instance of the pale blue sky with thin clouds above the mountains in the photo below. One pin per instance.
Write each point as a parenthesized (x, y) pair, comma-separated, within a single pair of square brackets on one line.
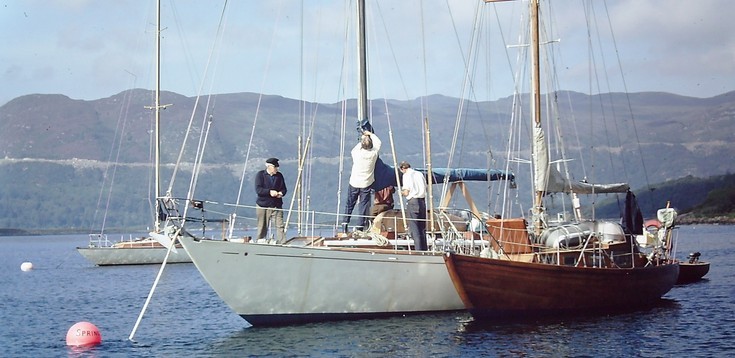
[(92, 49)]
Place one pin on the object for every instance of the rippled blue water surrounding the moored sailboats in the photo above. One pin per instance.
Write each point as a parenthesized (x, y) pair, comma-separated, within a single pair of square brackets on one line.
[(186, 318)]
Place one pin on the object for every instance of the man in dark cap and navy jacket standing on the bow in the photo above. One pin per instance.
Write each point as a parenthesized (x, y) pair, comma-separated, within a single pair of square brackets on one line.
[(270, 186)]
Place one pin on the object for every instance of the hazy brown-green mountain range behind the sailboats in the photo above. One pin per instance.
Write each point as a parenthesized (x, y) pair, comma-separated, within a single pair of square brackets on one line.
[(63, 158)]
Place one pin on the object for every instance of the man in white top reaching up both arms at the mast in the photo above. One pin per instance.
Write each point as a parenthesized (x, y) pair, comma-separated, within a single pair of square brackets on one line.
[(364, 155)]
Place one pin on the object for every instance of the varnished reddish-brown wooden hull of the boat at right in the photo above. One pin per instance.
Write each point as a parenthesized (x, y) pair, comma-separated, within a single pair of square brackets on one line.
[(496, 288)]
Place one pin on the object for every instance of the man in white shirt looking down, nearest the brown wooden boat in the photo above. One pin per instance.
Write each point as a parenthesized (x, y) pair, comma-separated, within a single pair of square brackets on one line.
[(414, 189)]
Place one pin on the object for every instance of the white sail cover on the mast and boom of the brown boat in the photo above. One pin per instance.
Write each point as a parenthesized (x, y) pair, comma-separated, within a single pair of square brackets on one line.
[(549, 180)]
